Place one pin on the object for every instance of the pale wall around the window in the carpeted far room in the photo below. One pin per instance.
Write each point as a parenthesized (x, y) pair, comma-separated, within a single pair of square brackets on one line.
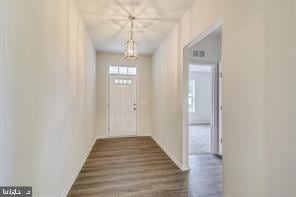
[(203, 98)]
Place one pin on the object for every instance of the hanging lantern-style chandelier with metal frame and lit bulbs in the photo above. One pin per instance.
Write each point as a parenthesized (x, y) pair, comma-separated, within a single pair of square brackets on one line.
[(130, 49)]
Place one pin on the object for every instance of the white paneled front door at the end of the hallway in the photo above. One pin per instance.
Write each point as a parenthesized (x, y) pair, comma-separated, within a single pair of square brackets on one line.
[(122, 105)]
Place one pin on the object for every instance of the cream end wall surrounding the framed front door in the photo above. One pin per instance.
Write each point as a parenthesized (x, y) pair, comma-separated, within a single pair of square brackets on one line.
[(104, 60)]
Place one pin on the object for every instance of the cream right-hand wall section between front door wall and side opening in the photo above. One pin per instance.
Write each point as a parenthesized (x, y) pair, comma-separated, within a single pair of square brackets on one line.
[(166, 94)]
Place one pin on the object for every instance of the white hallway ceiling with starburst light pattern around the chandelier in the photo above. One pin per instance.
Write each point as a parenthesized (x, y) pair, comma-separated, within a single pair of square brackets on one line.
[(109, 28)]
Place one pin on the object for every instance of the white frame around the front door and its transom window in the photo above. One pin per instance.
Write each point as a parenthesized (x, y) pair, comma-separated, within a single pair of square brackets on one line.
[(137, 100)]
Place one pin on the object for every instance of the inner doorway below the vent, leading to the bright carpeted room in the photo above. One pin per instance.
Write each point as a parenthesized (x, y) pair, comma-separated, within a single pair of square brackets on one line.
[(200, 108)]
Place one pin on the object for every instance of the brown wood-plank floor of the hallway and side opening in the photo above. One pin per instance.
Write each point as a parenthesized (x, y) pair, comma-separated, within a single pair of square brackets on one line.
[(137, 167)]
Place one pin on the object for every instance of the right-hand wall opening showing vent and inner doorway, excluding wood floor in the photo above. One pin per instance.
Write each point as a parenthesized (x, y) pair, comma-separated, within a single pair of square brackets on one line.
[(205, 94)]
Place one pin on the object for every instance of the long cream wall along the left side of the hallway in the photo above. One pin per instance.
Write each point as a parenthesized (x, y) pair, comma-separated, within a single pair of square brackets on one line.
[(47, 95)]
